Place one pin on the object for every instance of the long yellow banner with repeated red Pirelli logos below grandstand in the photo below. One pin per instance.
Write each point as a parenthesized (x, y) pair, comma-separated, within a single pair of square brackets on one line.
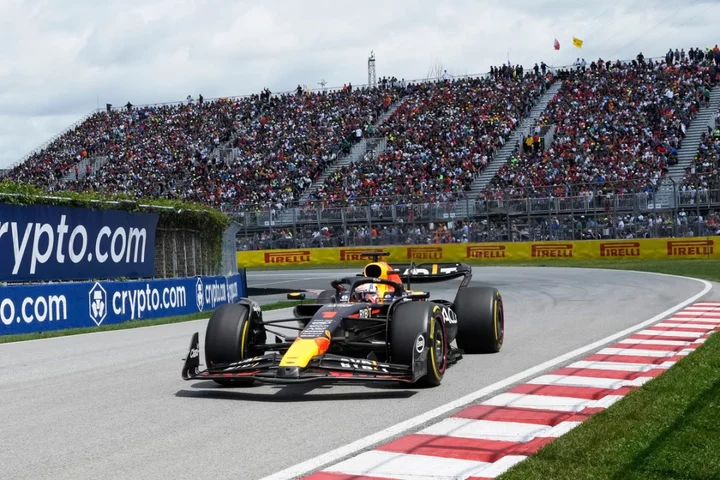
[(688, 248)]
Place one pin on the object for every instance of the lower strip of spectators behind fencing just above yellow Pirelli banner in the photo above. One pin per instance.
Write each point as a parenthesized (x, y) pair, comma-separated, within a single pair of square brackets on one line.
[(554, 228)]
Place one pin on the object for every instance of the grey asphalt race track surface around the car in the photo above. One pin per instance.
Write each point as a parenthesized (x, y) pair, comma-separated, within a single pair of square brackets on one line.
[(113, 405)]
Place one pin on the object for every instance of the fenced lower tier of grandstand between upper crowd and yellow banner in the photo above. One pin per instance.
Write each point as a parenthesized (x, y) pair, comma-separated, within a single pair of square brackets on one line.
[(398, 222)]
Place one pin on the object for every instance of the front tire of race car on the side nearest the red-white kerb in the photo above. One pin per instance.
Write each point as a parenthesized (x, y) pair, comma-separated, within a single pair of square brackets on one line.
[(409, 321)]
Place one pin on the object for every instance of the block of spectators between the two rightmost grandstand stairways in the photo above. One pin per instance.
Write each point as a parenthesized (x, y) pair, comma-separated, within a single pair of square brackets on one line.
[(618, 128)]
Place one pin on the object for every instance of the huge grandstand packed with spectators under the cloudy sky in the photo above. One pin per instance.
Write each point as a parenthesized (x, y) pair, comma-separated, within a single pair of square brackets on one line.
[(610, 138)]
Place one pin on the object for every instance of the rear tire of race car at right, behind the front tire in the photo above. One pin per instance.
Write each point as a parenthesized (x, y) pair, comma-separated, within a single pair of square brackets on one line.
[(481, 320)]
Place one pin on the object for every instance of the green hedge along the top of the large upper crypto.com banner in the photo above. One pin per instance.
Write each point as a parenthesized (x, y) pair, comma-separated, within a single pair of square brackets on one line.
[(173, 214)]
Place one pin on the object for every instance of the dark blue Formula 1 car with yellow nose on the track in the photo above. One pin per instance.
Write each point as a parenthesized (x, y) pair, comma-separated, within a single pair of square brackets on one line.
[(367, 328)]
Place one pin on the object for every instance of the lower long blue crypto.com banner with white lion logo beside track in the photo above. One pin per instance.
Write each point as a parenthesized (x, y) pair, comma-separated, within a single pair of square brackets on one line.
[(39, 308)]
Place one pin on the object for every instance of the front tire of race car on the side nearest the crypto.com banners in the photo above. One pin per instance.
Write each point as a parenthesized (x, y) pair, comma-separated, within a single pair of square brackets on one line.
[(229, 338)]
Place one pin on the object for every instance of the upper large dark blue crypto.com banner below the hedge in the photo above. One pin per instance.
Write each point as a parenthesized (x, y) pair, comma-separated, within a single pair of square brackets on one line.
[(48, 243)]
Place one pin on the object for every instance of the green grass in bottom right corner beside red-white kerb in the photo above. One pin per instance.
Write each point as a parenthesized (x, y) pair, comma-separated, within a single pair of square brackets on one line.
[(668, 429)]
